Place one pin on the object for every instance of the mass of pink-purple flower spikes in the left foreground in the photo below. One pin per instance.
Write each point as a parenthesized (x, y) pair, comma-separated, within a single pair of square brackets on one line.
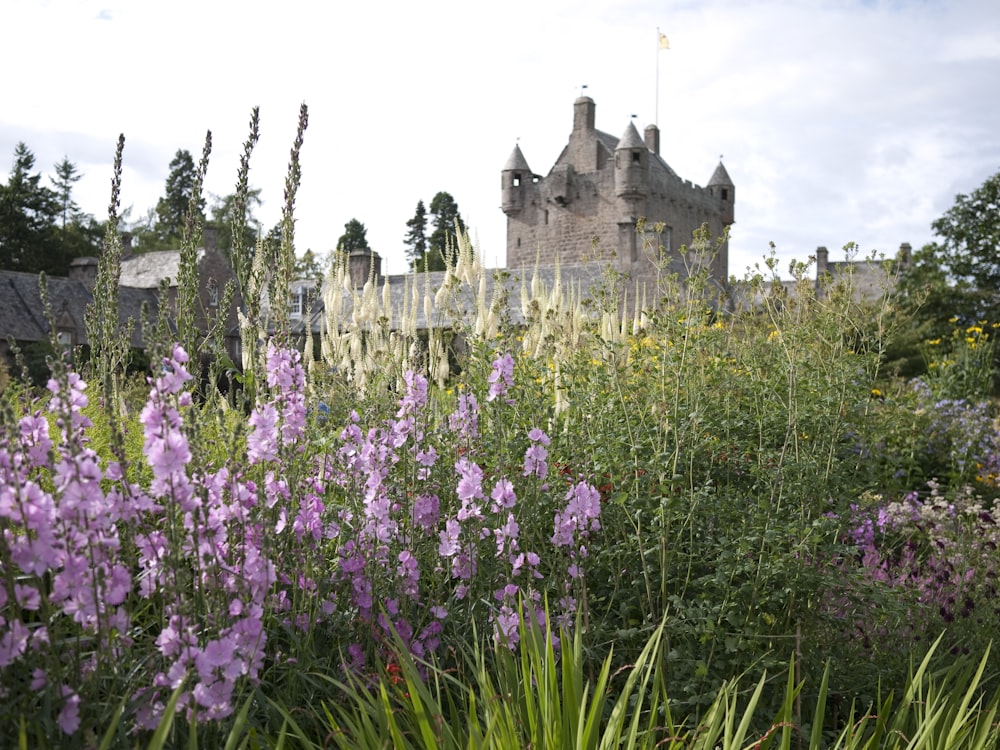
[(216, 557)]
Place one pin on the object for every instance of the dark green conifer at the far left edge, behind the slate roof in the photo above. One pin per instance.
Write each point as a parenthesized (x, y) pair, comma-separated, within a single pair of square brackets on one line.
[(28, 215)]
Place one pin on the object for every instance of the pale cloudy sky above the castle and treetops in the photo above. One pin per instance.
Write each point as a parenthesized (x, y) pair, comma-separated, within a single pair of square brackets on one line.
[(838, 120)]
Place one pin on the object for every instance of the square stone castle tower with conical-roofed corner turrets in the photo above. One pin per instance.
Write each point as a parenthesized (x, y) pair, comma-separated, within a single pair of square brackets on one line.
[(598, 189)]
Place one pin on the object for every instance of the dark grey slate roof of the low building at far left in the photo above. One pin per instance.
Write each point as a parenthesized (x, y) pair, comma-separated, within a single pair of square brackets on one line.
[(21, 310)]
